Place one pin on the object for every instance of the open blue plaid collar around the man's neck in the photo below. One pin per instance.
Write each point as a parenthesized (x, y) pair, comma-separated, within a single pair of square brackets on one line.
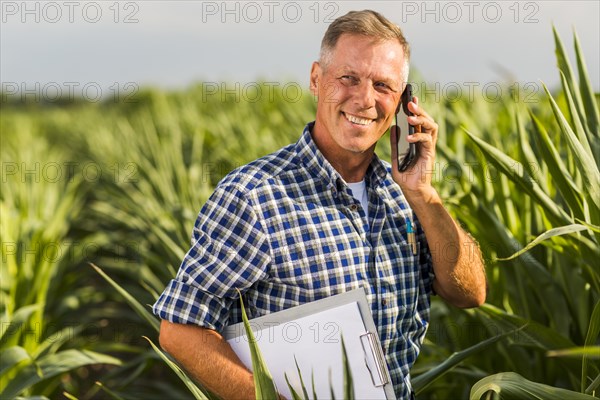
[(316, 163)]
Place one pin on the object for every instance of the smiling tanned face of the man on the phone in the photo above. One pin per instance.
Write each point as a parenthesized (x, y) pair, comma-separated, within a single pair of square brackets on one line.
[(358, 93)]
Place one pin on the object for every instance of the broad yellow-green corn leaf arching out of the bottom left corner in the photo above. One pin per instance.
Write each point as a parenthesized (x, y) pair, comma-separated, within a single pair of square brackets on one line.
[(53, 365)]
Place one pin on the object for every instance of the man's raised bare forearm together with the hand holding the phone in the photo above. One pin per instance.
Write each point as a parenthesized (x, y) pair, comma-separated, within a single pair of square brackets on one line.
[(459, 271)]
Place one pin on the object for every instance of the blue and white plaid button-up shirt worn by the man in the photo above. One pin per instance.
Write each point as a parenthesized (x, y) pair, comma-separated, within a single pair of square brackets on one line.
[(286, 230)]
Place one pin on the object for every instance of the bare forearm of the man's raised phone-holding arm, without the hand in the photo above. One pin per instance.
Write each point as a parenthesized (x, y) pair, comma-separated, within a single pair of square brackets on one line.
[(459, 271)]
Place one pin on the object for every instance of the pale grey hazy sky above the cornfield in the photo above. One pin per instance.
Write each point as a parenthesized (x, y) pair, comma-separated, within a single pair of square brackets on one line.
[(104, 48)]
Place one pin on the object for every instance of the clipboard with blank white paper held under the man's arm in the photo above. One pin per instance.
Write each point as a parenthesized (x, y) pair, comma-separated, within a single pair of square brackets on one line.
[(310, 335)]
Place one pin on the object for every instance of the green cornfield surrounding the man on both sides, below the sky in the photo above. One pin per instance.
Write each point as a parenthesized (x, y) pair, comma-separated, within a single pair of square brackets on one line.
[(117, 185)]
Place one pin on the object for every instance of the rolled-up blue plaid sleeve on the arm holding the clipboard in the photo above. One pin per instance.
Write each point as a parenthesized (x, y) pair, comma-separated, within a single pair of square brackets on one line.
[(229, 252)]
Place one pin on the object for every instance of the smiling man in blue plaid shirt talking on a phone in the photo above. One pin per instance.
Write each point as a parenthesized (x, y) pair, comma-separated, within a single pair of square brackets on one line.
[(324, 216)]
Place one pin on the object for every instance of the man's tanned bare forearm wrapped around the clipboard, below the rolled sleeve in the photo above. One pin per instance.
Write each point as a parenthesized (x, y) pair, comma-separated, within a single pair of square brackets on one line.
[(208, 359)]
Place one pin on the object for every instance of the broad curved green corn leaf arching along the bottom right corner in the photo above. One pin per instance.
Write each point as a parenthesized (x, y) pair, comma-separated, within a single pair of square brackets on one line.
[(510, 385)]
